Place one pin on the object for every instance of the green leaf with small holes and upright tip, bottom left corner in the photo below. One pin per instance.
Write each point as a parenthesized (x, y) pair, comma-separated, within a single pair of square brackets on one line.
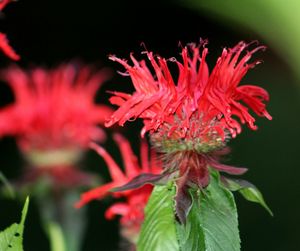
[(11, 238)]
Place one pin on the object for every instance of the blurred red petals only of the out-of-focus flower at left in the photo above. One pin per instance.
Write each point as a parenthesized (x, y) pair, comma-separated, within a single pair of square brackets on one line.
[(54, 109)]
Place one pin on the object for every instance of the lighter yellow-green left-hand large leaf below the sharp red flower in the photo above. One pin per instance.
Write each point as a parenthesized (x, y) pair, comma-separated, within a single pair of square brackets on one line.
[(158, 231)]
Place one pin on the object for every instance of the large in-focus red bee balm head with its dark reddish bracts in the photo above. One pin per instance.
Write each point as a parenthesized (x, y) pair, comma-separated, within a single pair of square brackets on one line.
[(190, 122)]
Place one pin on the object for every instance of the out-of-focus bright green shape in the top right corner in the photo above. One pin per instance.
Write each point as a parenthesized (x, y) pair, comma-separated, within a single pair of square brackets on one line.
[(277, 22)]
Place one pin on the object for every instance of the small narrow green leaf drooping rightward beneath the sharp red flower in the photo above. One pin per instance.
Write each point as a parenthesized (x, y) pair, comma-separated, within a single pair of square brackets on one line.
[(248, 190)]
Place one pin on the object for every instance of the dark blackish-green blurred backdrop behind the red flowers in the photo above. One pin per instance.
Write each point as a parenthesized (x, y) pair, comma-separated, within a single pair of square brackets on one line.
[(49, 32)]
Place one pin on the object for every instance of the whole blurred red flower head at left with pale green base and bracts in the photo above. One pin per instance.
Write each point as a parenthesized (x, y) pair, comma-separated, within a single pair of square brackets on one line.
[(54, 117)]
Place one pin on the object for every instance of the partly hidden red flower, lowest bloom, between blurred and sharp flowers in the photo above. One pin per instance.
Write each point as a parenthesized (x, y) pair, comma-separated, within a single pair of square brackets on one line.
[(132, 209)]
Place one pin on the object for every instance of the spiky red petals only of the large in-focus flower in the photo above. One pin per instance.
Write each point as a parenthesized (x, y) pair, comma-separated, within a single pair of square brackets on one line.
[(200, 103)]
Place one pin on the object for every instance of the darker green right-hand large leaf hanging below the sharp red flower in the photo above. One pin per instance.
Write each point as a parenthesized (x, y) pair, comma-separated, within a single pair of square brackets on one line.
[(212, 224)]
